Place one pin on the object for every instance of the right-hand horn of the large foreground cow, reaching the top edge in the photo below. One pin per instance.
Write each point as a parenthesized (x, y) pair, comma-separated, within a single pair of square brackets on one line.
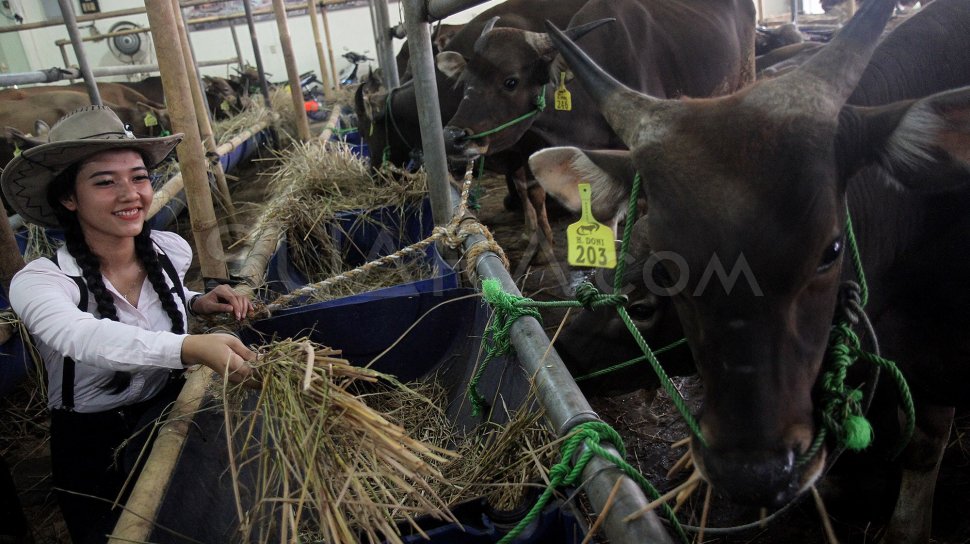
[(841, 62)]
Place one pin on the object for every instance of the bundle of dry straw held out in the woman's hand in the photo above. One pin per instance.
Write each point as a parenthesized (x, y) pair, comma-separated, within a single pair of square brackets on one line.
[(350, 453)]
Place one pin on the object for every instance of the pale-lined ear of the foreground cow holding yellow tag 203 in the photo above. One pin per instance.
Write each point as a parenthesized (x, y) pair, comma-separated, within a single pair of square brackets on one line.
[(560, 170)]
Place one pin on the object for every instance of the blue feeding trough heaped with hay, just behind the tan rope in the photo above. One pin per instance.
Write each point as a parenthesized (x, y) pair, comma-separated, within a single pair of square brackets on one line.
[(363, 237)]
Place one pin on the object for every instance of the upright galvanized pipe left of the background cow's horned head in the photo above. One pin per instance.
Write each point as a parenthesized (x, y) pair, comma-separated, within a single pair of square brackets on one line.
[(429, 117)]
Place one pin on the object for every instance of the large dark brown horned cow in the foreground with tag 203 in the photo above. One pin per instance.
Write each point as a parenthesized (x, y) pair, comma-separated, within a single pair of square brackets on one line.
[(764, 179)]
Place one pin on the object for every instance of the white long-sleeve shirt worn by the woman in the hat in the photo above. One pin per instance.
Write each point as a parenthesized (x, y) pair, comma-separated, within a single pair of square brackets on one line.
[(46, 299)]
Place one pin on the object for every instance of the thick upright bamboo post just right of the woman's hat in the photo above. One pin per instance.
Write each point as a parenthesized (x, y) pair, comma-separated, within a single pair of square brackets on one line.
[(191, 153)]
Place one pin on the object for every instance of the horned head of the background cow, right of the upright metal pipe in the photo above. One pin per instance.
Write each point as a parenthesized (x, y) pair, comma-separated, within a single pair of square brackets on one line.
[(509, 72)]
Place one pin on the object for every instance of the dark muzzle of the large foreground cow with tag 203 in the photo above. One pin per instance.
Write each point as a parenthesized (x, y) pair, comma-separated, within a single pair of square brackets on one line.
[(768, 479)]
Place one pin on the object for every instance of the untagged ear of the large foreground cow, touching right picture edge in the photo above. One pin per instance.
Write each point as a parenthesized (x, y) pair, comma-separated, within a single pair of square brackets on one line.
[(925, 143)]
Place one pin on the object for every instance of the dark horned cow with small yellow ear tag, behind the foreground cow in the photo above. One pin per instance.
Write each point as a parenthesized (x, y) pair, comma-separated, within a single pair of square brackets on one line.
[(666, 48)]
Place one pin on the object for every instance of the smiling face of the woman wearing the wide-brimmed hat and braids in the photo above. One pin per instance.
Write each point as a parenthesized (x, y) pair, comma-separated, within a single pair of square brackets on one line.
[(112, 195)]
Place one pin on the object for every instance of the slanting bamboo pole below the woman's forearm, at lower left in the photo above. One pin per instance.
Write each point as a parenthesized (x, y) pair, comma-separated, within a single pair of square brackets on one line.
[(137, 519)]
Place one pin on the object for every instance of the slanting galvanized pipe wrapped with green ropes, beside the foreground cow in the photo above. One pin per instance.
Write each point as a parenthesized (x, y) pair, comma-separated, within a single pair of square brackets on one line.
[(565, 407)]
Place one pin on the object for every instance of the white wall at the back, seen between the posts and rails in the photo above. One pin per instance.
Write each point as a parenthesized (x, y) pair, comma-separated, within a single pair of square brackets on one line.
[(350, 30)]
